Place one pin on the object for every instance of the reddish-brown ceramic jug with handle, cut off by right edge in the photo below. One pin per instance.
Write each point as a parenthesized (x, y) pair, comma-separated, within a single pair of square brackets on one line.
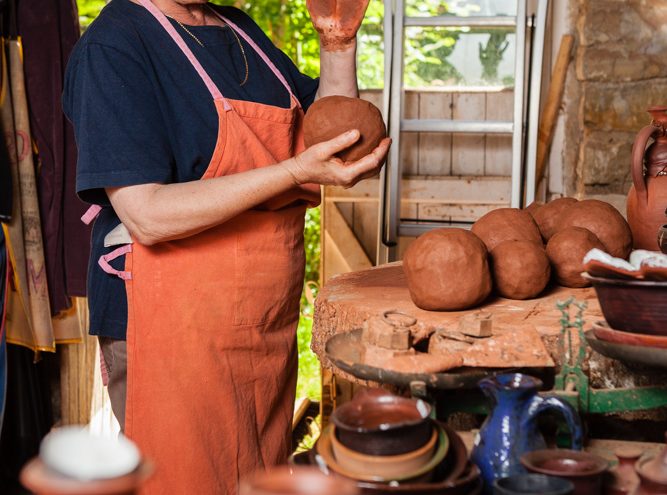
[(647, 198)]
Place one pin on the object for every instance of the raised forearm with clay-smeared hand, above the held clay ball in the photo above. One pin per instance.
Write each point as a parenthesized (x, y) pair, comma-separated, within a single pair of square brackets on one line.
[(337, 22)]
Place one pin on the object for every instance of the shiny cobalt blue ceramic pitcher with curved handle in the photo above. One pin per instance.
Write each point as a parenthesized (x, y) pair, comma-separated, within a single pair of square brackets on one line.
[(511, 428)]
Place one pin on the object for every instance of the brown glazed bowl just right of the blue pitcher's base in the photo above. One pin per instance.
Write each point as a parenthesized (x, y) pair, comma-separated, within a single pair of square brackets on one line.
[(583, 469)]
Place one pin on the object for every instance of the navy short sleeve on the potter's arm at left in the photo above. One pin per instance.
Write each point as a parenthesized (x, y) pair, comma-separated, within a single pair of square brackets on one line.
[(118, 124)]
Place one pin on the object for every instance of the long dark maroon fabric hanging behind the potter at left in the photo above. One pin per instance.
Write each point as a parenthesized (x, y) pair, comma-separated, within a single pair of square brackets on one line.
[(48, 30)]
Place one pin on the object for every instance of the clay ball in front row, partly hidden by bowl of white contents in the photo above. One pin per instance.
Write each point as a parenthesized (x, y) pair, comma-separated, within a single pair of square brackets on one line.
[(566, 250)]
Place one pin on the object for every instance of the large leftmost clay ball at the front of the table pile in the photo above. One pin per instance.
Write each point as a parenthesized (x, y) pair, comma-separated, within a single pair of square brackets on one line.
[(447, 270)]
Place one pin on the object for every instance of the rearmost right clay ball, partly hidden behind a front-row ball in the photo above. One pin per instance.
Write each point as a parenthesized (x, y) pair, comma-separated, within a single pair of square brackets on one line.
[(604, 221)]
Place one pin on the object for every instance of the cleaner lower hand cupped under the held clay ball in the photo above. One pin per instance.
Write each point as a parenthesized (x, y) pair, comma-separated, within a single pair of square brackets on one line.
[(319, 165)]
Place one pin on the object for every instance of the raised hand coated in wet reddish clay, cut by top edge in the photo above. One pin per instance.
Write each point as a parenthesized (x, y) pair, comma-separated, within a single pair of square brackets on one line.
[(337, 21)]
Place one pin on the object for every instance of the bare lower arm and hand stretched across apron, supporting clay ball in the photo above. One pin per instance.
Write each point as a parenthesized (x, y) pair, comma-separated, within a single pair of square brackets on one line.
[(149, 213)]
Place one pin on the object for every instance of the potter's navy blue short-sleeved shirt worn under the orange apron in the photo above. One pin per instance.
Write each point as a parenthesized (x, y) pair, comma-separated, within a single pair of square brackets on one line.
[(142, 114)]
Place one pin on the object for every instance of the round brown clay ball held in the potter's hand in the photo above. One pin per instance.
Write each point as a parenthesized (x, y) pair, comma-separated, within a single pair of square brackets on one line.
[(331, 116)]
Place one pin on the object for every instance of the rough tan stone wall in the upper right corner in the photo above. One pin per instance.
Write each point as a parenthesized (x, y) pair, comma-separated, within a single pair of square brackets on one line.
[(619, 70)]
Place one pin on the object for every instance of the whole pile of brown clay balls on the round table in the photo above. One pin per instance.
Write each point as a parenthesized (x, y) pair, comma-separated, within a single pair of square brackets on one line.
[(515, 251)]
